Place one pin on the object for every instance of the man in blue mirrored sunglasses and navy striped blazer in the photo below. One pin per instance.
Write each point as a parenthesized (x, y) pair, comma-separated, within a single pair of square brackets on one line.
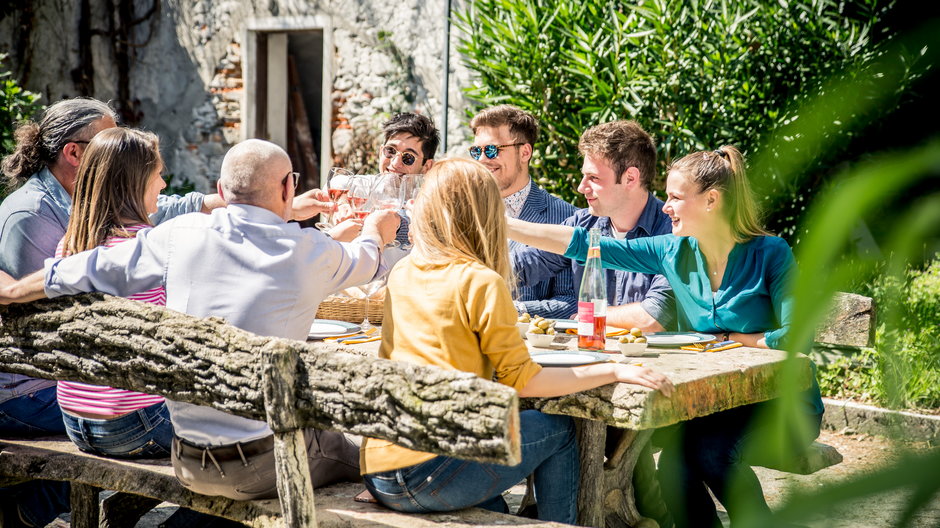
[(504, 139)]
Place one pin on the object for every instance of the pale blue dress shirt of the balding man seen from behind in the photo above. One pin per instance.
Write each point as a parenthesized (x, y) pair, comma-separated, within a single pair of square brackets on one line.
[(242, 263)]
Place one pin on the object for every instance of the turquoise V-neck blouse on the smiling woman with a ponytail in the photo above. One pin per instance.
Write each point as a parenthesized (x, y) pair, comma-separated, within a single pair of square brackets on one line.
[(752, 296)]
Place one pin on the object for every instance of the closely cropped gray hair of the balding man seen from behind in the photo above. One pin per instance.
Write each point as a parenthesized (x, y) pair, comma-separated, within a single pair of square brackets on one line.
[(244, 169)]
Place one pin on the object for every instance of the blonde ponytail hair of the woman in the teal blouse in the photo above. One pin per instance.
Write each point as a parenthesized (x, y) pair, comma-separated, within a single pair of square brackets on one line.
[(723, 170)]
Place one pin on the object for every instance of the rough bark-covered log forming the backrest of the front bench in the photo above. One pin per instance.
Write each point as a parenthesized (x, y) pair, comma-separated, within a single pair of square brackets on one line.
[(94, 338)]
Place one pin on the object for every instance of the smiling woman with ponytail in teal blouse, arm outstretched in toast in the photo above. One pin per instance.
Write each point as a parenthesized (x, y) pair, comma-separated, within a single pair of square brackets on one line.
[(730, 278)]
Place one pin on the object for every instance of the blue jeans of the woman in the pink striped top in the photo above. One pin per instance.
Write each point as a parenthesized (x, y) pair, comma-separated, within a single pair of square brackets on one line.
[(144, 433)]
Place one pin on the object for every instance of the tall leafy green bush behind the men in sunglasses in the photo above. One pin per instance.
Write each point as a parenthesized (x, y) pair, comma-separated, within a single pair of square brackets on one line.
[(695, 74)]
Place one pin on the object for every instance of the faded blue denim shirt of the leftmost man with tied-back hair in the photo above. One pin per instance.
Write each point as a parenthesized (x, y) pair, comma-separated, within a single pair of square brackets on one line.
[(33, 220)]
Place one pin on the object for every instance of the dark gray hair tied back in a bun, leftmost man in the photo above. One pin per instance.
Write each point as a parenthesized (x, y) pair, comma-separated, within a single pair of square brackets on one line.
[(39, 145)]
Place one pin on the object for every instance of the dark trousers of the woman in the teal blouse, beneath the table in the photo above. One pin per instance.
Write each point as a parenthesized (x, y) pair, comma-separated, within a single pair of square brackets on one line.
[(714, 451)]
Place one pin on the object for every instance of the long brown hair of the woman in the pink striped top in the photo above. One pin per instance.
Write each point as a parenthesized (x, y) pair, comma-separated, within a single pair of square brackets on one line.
[(111, 187)]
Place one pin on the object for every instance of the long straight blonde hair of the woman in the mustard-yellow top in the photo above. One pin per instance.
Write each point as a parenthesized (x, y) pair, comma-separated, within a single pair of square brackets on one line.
[(460, 215)]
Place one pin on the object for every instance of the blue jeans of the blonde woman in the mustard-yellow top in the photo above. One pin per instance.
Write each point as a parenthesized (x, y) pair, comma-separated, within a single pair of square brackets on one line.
[(549, 450)]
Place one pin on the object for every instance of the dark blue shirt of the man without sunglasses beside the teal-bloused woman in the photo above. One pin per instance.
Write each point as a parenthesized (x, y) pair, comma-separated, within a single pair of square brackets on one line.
[(623, 287)]
